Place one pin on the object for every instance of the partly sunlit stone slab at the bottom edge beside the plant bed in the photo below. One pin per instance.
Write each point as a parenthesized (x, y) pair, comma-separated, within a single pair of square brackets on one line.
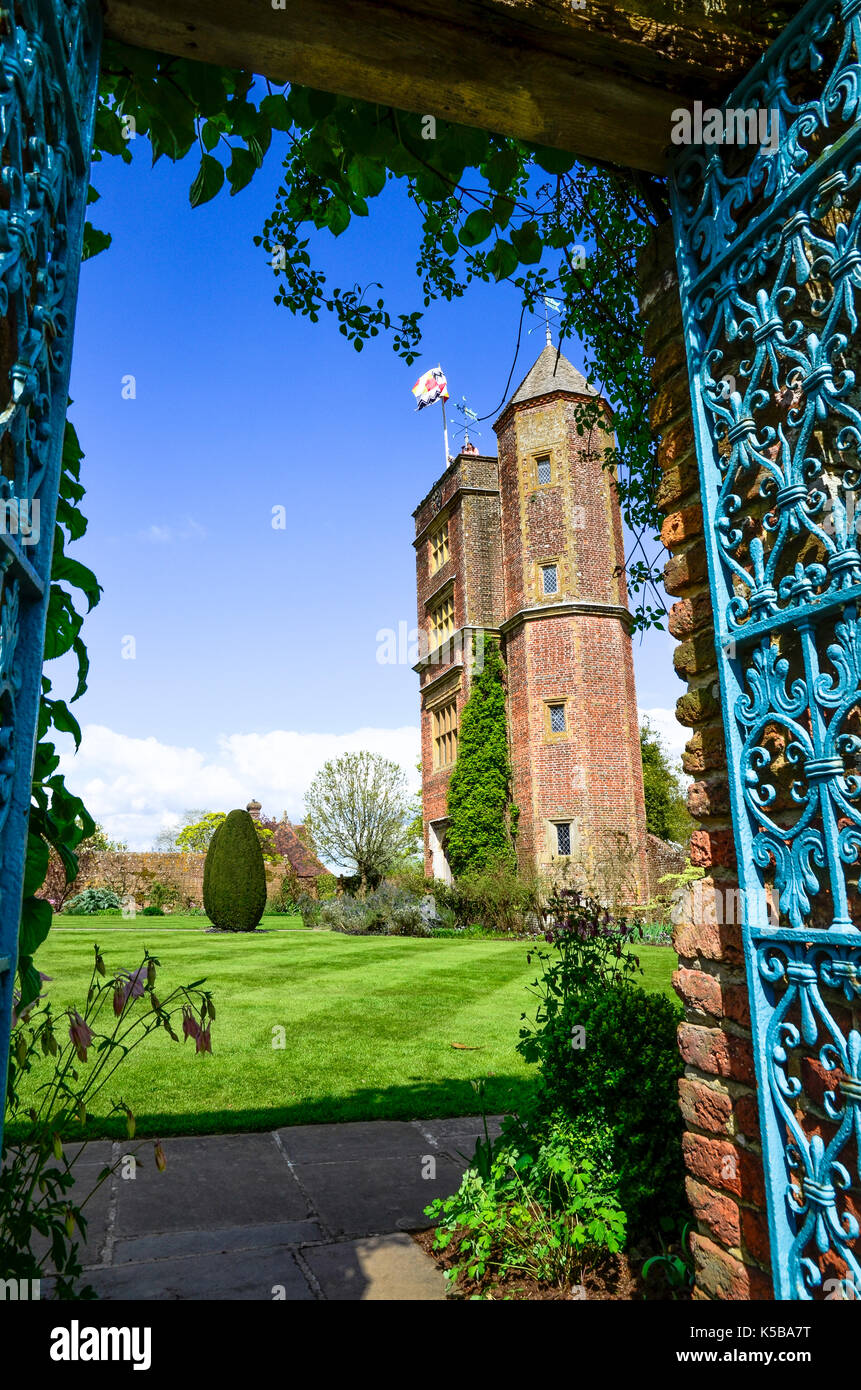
[(380, 1268)]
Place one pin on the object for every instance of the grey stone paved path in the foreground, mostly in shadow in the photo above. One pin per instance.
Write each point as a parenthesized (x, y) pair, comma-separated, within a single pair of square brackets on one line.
[(312, 1211)]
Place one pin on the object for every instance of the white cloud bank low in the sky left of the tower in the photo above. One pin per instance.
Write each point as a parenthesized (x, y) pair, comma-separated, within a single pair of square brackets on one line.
[(136, 787)]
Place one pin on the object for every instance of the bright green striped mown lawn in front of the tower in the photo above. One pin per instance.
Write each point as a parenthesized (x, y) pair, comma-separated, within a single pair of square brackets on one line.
[(369, 1024)]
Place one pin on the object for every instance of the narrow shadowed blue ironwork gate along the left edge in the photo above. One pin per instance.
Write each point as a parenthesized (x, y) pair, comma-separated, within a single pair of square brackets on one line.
[(49, 56)]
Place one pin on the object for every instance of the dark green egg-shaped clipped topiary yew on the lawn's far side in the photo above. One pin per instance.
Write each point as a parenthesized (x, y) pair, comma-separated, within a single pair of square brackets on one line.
[(234, 878)]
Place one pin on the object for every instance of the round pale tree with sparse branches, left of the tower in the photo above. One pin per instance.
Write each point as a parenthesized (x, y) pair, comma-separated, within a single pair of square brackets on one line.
[(361, 810)]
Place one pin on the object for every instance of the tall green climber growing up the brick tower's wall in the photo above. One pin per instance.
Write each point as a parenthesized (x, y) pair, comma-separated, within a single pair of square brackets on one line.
[(479, 793)]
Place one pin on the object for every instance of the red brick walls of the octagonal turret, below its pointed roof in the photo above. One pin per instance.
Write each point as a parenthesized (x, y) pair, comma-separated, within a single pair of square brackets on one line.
[(593, 778)]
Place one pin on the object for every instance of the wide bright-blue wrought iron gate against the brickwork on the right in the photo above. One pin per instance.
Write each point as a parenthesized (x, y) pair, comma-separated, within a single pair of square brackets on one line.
[(770, 263)]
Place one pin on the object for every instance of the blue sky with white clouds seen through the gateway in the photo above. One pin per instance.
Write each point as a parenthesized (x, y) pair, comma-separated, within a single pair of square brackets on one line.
[(257, 648)]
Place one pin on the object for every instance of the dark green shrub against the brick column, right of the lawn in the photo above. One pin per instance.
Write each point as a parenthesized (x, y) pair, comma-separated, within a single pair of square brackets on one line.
[(609, 1056)]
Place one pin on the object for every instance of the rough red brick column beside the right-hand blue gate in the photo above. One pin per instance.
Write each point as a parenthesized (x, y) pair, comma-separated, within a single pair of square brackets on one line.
[(717, 1095)]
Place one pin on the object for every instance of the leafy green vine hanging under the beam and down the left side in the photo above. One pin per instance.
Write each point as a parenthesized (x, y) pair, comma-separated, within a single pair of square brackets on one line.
[(489, 209)]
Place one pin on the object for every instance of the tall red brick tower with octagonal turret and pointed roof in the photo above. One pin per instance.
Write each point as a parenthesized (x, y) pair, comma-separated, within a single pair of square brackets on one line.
[(526, 547)]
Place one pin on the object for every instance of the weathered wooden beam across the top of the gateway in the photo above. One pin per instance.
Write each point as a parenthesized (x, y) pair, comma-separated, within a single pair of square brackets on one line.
[(600, 81)]
